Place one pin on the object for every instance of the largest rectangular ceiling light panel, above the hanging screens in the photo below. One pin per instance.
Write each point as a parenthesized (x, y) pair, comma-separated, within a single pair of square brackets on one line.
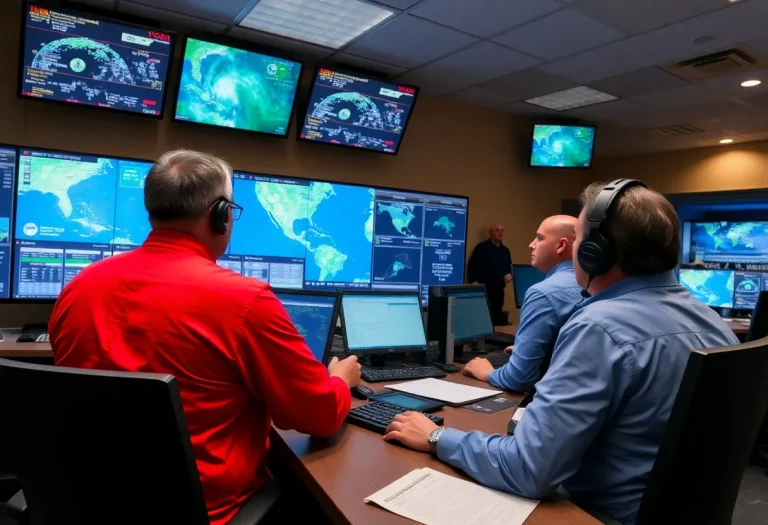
[(328, 23)]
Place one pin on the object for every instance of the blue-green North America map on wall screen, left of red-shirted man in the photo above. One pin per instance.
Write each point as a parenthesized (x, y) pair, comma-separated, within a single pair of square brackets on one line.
[(65, 197)]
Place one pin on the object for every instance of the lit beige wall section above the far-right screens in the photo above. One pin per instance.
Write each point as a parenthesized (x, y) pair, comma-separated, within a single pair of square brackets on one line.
[(735, 167)]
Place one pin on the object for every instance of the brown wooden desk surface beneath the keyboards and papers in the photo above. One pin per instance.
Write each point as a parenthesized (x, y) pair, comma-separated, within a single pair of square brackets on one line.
[(342, 471)]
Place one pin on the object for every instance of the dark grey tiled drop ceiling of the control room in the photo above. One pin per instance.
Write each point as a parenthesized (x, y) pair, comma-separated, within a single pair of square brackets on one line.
[(497, 53)]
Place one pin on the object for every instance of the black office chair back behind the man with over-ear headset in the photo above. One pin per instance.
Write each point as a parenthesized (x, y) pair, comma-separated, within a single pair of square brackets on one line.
[(717, 413)]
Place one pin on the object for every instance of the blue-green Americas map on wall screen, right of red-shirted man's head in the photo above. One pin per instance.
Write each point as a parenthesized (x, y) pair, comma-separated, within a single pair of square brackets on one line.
[(329, 224)]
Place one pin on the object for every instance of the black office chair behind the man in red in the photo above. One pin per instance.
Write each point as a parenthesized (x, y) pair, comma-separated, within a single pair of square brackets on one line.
[(93, 447)]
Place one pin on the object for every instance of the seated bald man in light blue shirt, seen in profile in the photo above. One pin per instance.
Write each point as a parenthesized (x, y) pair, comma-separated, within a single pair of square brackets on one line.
[(546, 308)]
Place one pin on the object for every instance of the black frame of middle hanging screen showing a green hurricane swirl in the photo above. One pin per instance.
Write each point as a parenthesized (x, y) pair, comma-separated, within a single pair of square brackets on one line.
[(240, 46)]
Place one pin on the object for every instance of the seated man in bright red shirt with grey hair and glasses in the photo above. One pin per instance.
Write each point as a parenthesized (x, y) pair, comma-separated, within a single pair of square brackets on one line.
[(166, 307)]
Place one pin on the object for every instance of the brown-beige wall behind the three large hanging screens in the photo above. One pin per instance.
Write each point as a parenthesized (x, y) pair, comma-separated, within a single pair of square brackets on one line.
[(449, 148)]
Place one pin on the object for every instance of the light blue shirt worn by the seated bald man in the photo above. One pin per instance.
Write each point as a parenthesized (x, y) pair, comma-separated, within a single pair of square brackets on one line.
[(546, 308)]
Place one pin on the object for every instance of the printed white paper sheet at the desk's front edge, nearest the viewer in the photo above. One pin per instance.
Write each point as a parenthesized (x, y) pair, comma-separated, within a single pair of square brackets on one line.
[(434, 498)]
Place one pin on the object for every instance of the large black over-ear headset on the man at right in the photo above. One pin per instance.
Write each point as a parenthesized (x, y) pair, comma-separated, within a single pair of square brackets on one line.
[(596, 255)]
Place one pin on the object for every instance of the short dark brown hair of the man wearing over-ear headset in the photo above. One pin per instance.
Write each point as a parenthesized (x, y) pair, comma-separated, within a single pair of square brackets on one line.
[(642, 227)]
